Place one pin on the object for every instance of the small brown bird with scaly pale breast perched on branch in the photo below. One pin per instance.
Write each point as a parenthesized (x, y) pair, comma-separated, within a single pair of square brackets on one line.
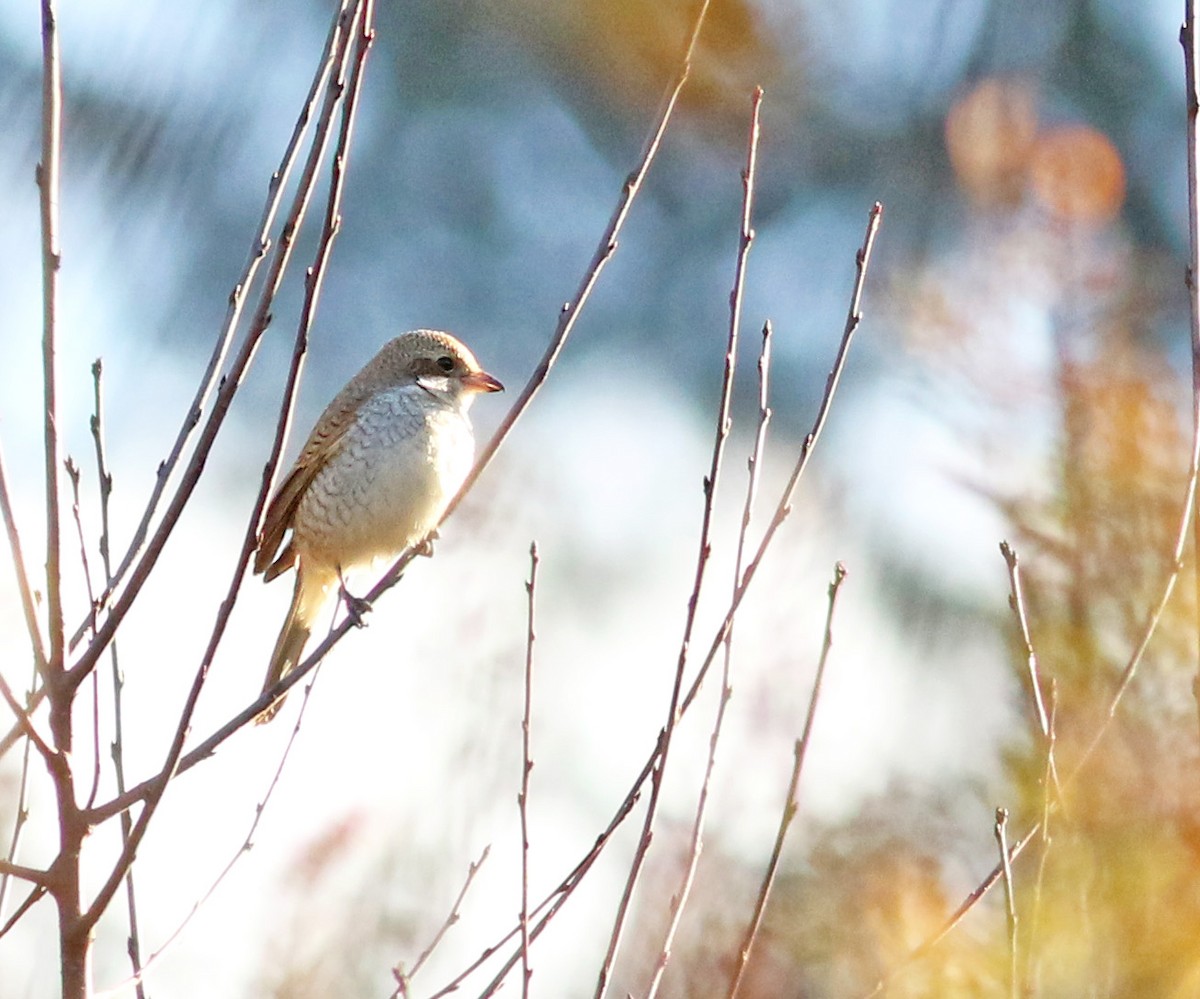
[(374, 480)]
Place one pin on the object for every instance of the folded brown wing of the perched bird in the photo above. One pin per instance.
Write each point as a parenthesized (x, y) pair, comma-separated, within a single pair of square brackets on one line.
[(323, 444)]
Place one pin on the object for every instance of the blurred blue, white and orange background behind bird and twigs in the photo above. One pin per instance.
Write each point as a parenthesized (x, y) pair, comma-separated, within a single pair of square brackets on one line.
[(1022, 374)]
